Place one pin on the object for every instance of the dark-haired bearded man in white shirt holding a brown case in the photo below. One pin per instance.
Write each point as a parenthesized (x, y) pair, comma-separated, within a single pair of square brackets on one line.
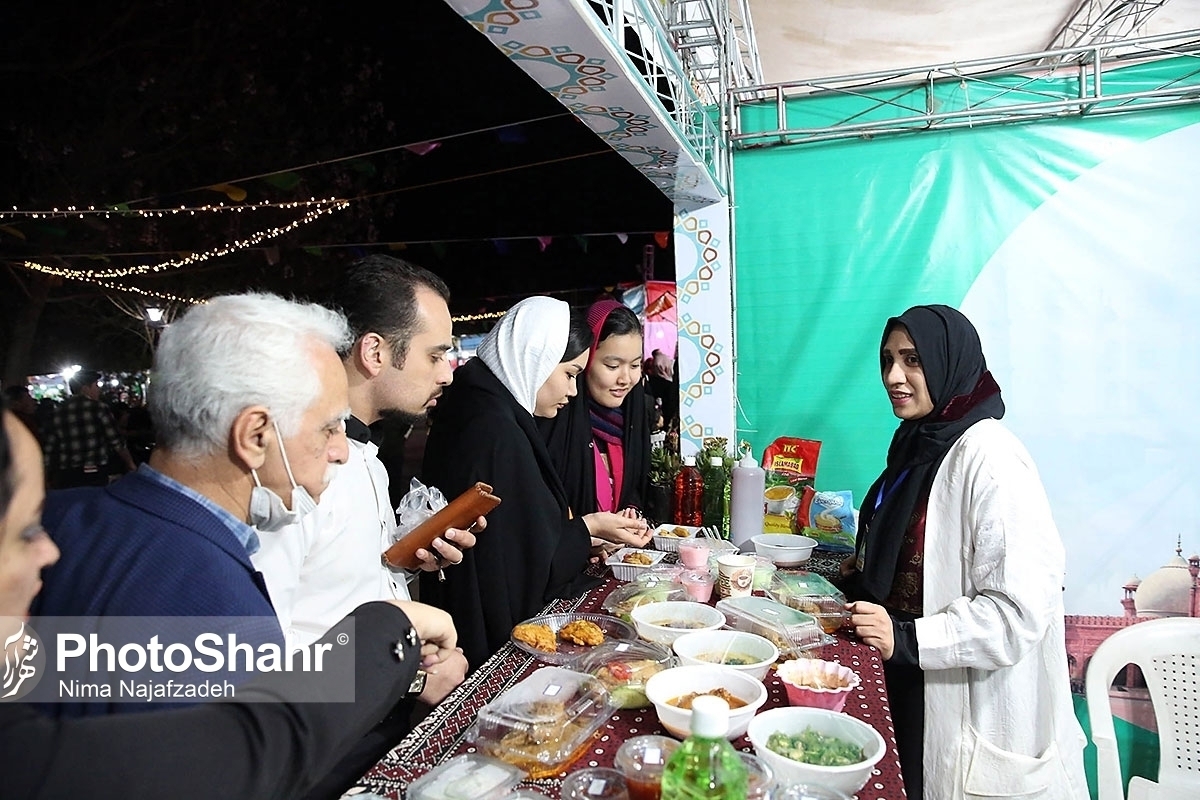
[(328, 564)]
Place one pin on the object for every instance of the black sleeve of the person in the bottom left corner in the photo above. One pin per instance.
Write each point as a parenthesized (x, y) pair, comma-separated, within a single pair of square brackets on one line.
[(263, 750)]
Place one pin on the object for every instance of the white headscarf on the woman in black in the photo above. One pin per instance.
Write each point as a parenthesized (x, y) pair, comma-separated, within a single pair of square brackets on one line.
[(524, 350)]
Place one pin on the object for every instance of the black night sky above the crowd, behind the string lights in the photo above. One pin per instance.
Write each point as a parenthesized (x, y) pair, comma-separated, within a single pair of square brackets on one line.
[(161, 99)]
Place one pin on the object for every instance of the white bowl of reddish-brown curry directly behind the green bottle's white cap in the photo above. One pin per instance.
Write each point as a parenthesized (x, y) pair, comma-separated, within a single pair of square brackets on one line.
[(677, 682)]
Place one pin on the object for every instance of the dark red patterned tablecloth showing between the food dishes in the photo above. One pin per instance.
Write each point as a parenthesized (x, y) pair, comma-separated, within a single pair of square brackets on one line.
[(443, 735)]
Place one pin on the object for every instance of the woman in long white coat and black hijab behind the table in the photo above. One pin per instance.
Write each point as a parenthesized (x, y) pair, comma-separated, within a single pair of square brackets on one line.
[(959, 574)]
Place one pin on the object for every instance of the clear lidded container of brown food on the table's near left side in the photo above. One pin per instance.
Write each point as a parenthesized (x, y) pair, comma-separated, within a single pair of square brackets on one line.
[(545, 723)]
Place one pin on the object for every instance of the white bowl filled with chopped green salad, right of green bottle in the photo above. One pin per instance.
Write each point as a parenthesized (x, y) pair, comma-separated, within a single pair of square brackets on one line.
[(812, 745)]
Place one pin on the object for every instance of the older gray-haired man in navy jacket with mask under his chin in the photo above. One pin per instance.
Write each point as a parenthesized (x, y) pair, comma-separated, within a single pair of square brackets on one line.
[(249, 400)]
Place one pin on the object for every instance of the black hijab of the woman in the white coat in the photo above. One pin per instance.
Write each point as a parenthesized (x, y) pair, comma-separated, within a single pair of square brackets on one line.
[(963, 393)]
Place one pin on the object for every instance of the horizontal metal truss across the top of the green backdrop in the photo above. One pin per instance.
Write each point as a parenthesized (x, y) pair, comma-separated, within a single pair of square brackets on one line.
[(965, 94)]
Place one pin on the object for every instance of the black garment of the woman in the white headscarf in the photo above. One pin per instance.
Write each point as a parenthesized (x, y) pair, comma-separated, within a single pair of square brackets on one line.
[(532, 550)]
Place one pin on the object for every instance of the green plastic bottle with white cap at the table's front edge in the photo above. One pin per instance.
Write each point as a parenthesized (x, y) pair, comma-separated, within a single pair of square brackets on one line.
[(706, 767)]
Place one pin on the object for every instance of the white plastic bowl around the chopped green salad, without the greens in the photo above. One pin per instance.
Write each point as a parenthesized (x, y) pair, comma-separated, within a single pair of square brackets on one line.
[(794, 720)]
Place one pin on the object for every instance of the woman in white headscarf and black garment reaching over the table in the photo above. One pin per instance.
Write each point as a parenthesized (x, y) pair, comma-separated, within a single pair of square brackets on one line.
[(536, 548)]
